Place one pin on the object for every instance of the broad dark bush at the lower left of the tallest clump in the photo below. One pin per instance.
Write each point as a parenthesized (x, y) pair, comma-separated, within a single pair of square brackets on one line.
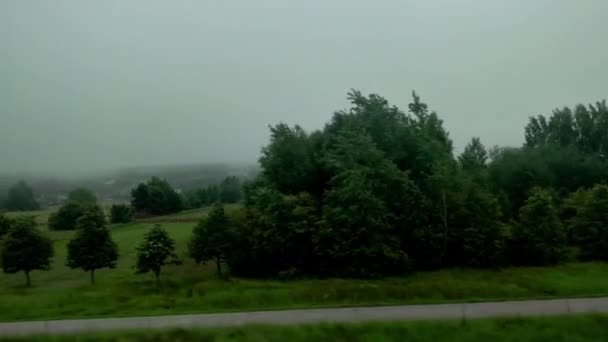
[(273, 234)]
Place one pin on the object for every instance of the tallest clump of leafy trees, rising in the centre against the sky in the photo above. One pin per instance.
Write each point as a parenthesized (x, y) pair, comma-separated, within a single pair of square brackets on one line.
[(347, 198)]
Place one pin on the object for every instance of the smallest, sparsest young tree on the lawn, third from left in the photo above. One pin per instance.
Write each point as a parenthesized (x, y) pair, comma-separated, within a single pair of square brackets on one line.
[(155, 251)]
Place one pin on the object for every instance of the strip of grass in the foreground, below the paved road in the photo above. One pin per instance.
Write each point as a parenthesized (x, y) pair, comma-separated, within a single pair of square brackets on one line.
[(554, 329)]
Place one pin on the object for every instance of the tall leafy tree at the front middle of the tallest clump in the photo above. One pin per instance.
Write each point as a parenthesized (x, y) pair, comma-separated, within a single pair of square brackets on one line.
[(367, 211)]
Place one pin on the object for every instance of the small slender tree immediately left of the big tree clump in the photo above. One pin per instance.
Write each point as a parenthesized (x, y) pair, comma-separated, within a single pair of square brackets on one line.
[(211, 238)]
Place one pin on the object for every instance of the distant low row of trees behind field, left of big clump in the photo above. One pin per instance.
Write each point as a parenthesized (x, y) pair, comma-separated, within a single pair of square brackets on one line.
[(228, 191)]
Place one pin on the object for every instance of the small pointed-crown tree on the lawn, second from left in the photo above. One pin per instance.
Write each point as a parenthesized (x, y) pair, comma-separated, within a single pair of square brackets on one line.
[(92, 248)]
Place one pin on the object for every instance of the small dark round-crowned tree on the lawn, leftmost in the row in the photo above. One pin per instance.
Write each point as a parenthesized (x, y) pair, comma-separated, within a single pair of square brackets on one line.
[(24, 248)]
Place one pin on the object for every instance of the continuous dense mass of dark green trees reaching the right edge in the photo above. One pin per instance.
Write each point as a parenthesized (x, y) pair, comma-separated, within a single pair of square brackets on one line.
[(379, 191)]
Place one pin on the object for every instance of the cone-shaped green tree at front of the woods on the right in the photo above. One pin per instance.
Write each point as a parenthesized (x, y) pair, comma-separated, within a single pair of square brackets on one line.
[(539, 237)]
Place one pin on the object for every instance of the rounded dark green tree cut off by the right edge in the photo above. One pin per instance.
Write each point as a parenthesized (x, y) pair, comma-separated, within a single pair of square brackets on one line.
[(589, 226)]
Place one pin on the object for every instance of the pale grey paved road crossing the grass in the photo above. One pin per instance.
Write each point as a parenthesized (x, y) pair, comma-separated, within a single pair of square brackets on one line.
[(384, 313)]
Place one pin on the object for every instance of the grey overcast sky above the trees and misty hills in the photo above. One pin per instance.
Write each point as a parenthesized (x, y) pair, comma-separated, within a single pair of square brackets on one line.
[(103, 84)]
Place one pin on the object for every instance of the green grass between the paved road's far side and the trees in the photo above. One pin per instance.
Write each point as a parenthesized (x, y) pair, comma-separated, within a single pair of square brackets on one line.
[(65, 293)]
